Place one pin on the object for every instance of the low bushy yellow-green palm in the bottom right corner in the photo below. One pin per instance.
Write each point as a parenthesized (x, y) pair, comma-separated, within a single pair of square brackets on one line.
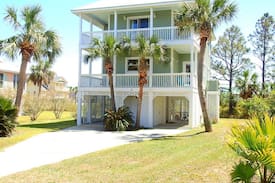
[(255, 143)]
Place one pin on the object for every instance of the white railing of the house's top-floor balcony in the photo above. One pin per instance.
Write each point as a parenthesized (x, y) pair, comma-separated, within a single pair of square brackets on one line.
[(163, 33)]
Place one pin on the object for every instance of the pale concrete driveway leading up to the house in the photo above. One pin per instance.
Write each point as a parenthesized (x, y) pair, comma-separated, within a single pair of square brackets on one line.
[(53, 147)]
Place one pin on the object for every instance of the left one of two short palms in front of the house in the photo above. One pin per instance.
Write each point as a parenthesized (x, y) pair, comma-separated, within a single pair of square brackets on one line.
[(107, 48)]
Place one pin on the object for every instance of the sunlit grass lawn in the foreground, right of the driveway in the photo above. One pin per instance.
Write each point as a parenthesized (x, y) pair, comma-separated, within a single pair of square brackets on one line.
[(189, 157)]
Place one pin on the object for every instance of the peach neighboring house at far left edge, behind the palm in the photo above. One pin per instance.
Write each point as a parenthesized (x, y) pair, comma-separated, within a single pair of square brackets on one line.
[(8, 78)]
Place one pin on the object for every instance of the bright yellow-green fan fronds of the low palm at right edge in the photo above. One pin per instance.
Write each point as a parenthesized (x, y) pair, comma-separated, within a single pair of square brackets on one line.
[(255, 142)]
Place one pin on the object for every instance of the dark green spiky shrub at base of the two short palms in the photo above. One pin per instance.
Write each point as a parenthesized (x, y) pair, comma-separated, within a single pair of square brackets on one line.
[(118, 121)]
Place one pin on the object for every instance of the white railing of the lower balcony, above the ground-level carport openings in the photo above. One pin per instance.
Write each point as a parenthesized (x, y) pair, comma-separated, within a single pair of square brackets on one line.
[(163, 80)]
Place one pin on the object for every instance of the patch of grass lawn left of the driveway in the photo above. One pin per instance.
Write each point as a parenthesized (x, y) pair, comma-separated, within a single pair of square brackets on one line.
[(45, 123)]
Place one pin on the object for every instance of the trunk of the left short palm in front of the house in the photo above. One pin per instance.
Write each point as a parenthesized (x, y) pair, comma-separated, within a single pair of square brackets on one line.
[(109, 71)]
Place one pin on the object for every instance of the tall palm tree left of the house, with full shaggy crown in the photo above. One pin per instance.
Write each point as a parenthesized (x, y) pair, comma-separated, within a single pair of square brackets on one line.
[(31, 42)]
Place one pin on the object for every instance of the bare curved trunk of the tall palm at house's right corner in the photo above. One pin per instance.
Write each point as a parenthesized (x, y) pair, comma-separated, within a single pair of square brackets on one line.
[(207, 124)]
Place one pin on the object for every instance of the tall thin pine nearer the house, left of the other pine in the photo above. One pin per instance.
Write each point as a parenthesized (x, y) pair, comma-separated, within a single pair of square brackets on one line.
[(228, 59)]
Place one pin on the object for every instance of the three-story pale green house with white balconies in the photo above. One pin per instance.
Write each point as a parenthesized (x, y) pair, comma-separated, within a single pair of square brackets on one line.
[(171, 95)]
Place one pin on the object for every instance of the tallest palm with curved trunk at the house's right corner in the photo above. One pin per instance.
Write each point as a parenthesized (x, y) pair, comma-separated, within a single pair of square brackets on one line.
[(204, 17)]
